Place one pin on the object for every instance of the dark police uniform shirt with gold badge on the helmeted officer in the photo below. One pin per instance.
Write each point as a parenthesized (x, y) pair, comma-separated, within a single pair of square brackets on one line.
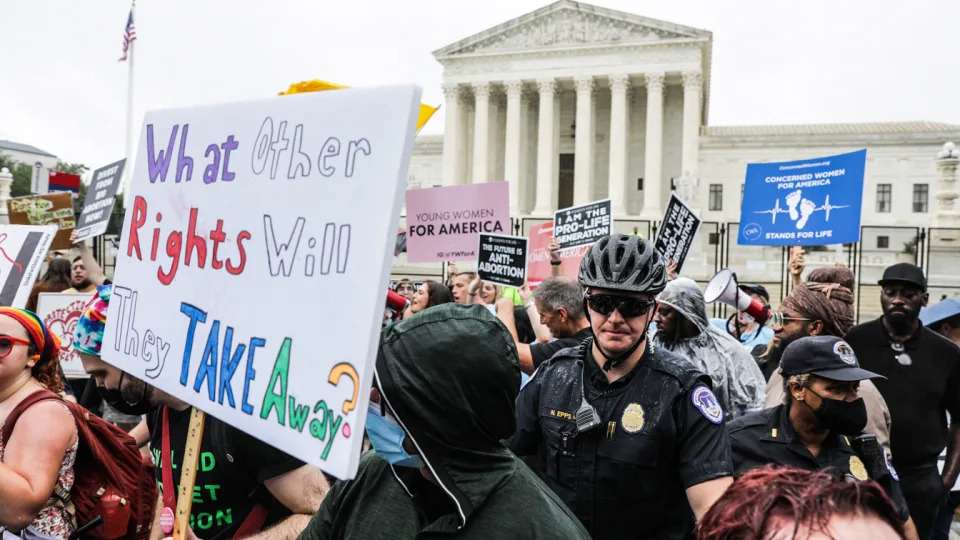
[(661, 432)]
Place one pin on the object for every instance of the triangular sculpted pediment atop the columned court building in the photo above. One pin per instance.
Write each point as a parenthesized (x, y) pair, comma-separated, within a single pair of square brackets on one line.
[(567, 24)]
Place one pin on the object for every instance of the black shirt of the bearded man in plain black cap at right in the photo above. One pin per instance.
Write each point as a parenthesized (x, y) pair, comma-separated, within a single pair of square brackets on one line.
[(917, 394)]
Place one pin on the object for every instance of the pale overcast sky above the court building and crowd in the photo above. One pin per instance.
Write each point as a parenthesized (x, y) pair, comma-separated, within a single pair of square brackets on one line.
[(774, 62)]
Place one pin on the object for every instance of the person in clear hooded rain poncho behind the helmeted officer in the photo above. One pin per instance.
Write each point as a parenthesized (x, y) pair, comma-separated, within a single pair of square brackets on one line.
[(683, 328)]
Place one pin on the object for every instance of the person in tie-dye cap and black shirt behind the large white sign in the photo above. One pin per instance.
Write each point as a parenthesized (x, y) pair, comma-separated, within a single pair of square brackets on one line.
[(258, 486)]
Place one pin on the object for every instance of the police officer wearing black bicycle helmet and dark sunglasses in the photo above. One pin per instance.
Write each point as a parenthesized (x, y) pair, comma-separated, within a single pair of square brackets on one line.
[(630, 434)]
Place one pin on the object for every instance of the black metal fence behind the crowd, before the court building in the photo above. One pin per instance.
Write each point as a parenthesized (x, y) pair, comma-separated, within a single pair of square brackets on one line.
[(935, 250)]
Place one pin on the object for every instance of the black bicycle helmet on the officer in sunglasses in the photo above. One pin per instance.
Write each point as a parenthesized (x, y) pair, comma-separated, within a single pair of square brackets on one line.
[(623, 262)]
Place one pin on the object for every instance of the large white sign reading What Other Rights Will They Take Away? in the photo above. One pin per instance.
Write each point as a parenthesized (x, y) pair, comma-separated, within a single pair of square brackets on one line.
[(245, 262)]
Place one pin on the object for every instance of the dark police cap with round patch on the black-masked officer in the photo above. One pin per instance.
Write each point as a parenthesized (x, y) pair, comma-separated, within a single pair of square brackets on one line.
[(825, 356)]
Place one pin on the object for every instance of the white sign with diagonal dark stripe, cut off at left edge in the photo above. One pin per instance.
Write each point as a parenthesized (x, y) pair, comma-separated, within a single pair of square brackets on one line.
[(21, 254)]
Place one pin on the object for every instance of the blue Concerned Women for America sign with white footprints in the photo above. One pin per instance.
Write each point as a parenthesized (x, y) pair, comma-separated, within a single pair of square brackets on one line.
[(808, 202)]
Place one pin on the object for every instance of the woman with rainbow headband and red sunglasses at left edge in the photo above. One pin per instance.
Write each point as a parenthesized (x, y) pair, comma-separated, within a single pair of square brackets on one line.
[(37, 460)]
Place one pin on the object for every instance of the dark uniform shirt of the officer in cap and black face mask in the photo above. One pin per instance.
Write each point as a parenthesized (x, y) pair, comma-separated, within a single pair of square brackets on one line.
[(767, 437)]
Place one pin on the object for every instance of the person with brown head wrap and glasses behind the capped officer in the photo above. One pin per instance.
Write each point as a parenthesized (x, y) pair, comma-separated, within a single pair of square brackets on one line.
[(822, 306)]
